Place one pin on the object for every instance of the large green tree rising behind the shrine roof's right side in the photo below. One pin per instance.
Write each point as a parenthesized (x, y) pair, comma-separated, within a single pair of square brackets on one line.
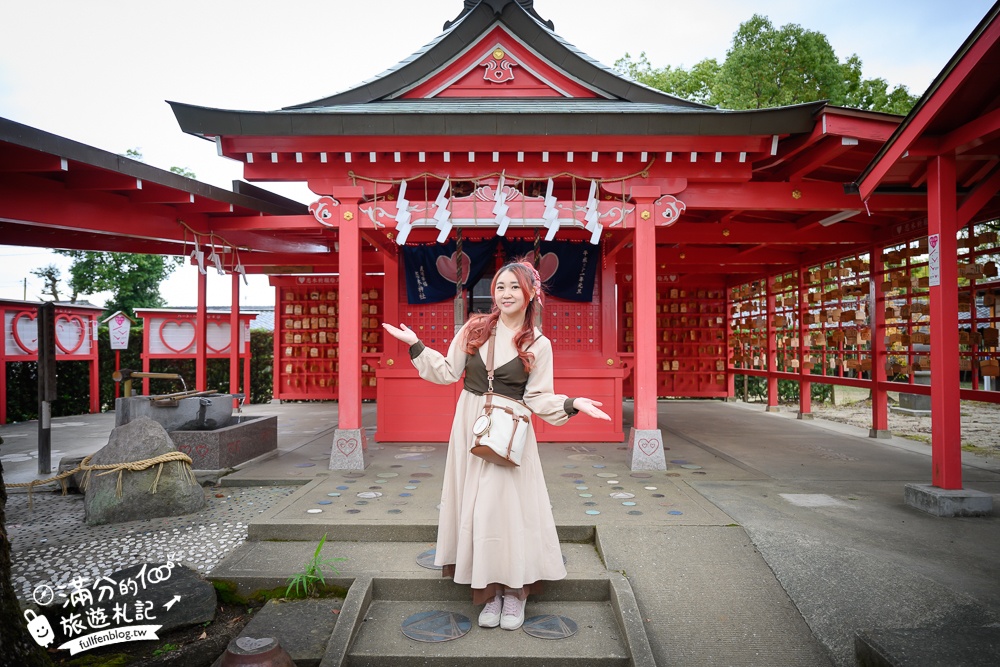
[(768, 67)]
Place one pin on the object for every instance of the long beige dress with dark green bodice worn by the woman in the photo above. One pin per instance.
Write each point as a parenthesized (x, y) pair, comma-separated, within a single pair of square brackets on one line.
[(495, 523)]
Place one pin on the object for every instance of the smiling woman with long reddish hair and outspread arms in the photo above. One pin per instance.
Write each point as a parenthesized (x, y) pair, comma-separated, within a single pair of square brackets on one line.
[(496, 531)]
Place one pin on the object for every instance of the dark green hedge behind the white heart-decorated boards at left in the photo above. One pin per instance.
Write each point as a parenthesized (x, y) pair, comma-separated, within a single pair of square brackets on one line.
[(73, 377)]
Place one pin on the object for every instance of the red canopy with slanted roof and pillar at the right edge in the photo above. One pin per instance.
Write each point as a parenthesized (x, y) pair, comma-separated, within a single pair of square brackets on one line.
[(947, 153)]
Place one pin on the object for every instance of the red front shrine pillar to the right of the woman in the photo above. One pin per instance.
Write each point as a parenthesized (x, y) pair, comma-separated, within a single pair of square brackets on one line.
[(644, 309)]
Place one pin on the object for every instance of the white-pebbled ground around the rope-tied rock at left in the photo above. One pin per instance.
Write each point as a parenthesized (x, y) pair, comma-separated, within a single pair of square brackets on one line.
[(51, 544)]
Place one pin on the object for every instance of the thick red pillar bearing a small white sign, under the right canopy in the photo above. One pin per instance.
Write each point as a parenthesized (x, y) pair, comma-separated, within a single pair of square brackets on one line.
[(946, 429)]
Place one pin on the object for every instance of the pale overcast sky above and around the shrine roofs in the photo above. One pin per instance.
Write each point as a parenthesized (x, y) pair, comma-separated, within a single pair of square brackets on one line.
[(99, 71)]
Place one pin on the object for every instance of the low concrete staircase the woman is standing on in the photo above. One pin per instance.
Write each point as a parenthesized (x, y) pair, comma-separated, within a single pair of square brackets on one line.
[(385, 585)]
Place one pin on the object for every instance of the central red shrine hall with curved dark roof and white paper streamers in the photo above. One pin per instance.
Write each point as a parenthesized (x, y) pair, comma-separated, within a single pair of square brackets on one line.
[(501, 132)]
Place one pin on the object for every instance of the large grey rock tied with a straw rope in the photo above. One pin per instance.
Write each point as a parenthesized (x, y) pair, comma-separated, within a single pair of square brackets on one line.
[(139, 440)]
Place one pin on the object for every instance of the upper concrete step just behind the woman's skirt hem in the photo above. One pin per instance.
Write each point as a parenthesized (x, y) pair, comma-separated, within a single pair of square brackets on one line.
[(255, 566)]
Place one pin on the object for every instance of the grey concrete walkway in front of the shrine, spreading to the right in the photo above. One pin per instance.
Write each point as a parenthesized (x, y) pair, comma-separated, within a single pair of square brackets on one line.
[(767, 541)]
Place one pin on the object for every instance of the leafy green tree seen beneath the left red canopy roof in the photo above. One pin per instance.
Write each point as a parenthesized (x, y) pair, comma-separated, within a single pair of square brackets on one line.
[(133, 279)]
